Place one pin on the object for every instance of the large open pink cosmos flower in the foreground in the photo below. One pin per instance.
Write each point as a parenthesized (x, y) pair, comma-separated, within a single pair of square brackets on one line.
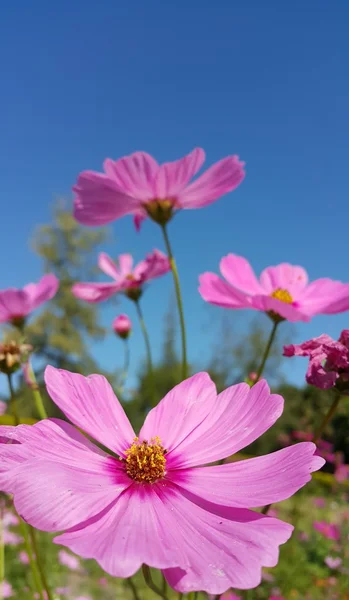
[(153, 505)]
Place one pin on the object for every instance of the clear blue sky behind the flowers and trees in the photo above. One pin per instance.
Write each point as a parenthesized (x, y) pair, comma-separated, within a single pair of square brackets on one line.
[(84, 80)]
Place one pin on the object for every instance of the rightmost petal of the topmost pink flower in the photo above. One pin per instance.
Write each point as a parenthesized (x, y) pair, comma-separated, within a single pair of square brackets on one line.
[(221, 178)]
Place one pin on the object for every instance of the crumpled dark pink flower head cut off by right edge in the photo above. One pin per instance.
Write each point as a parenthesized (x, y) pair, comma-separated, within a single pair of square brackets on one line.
[(328, 361)]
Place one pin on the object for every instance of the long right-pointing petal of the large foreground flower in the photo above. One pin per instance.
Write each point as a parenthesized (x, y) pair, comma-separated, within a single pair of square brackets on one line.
[(253, 482)]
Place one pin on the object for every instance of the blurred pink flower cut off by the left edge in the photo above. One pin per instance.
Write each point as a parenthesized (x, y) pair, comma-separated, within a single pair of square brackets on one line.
[(16, 304)]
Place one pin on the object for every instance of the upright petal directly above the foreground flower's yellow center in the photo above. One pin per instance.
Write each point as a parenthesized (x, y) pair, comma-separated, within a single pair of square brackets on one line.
[(181, 411)]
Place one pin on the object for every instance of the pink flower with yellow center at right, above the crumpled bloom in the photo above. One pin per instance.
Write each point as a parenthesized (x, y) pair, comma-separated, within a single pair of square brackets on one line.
[(282, 291)]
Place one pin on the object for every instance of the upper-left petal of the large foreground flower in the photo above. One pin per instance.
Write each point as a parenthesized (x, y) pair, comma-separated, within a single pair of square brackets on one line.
[(90, 403)]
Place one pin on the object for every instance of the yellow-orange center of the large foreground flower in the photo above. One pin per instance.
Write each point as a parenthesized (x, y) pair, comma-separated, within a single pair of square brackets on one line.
[(145, 461)]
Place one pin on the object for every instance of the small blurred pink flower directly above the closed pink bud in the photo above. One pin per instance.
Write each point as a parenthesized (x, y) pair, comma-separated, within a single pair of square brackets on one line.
[(127, 279)]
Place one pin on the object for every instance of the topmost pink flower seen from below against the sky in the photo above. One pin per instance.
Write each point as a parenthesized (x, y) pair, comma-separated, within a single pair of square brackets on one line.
[(138, 185)]
